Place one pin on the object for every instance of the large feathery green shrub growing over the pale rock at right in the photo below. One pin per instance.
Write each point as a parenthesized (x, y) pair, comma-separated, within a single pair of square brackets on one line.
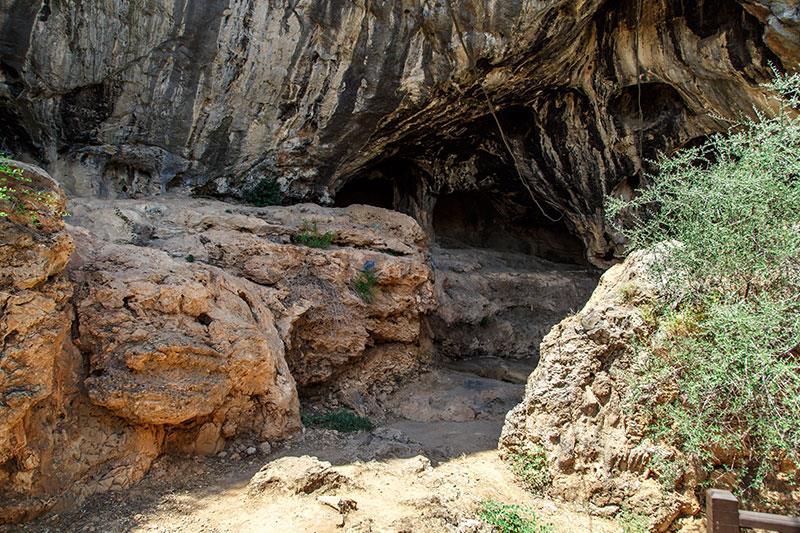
[(728, 321)]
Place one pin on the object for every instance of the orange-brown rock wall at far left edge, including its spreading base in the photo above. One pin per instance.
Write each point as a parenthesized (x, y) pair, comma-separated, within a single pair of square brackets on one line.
[(56, 447)]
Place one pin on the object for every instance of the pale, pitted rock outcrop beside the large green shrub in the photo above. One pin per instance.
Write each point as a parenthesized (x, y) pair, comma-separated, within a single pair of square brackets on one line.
[(576, 413)]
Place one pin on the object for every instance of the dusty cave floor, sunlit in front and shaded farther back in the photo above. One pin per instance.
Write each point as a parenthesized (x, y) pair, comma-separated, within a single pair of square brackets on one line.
[(426, 467)]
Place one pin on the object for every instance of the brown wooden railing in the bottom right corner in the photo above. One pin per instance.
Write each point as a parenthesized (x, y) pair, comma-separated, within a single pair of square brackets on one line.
[(724, 516)]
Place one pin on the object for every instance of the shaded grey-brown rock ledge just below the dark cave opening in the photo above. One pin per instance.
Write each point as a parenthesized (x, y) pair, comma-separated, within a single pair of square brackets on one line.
[(495, 303)]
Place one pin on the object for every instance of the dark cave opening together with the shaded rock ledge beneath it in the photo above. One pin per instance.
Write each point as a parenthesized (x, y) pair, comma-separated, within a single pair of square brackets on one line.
[(505, 276)]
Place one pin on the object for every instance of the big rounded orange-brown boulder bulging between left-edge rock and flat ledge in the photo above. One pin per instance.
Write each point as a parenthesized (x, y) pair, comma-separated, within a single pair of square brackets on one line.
[(175, 344)]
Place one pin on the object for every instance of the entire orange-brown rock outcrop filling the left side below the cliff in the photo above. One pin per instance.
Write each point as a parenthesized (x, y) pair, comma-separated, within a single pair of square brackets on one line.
[(181, 325)]
